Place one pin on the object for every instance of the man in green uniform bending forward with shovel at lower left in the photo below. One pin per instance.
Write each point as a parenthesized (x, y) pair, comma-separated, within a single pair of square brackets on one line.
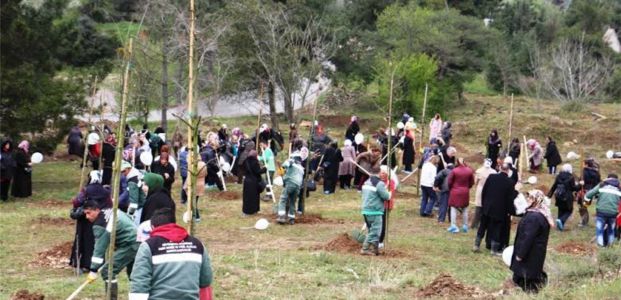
[(125, 244)]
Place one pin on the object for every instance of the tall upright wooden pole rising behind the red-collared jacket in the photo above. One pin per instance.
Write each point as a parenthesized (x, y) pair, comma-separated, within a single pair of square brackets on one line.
[(192, 162)]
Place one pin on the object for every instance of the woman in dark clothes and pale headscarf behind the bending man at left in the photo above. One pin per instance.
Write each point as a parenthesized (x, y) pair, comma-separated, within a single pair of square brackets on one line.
[(84, 241)]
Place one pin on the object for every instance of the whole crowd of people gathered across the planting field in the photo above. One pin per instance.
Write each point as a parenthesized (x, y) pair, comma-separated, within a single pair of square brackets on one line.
[(151, 163)]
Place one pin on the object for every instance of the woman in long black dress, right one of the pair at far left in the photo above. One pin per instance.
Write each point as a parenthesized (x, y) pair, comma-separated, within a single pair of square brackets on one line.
[(22, 179)]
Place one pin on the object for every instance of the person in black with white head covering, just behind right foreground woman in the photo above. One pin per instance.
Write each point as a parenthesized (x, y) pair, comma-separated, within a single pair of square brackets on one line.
[(563, 191)]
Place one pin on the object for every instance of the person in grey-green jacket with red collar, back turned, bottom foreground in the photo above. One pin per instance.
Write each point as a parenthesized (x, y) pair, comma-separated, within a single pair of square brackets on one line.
[(171, 264)]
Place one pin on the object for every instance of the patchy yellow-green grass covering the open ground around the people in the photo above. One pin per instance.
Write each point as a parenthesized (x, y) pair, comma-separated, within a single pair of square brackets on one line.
[(283, 263)]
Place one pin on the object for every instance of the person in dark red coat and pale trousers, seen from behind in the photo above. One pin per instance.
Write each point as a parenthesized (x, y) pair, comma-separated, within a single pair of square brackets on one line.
[(460, 181)]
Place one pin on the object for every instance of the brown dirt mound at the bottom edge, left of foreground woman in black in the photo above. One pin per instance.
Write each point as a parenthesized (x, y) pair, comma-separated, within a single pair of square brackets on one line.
[(447, 287)]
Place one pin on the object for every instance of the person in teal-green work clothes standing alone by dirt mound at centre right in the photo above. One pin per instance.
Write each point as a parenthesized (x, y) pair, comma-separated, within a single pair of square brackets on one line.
[(374, 193)]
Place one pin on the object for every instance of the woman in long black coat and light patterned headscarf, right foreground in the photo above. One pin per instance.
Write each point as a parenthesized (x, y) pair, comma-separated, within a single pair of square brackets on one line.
[(531, 243)]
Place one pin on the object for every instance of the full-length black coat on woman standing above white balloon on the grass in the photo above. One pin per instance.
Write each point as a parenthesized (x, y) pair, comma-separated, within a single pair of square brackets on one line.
[(252, 186)]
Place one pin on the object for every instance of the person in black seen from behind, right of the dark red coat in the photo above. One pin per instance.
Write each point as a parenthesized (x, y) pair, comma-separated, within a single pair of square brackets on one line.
[(497, 207)]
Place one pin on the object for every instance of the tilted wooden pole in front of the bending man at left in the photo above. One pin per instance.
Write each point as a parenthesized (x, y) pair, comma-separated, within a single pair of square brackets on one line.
[(116, 170)]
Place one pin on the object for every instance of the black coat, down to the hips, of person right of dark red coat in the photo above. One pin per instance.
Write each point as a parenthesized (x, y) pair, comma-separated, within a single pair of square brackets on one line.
[(497, 196)]
